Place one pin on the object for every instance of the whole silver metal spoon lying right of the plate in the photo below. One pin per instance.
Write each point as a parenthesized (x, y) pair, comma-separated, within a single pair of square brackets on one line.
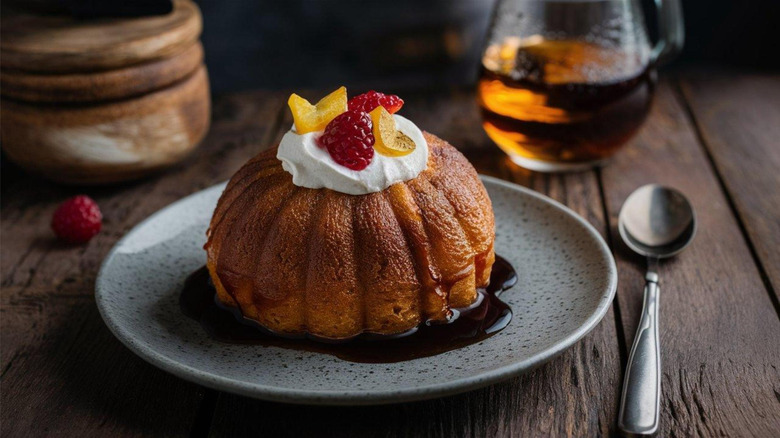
[(656, 222)]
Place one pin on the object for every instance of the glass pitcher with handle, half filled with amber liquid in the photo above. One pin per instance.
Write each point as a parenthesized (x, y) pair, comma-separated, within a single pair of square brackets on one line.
[(565, 83)]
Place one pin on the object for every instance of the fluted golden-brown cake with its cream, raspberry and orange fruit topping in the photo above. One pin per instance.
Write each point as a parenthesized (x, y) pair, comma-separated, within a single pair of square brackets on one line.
[(358, 222)]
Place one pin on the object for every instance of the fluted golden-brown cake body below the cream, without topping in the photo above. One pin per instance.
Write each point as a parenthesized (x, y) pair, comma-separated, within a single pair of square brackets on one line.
[(334, 265)]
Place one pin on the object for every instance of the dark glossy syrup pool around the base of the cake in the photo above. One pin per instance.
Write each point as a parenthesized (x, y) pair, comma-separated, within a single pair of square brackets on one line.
[(472, 325)]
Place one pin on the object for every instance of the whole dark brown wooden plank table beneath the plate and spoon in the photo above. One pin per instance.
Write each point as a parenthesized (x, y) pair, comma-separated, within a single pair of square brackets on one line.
[(715, 136)]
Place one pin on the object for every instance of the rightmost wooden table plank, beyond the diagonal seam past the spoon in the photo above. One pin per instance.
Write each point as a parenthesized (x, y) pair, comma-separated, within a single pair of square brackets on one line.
[(738, 116)]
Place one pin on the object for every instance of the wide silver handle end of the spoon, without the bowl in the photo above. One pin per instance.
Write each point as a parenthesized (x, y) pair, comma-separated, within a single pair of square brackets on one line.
[(639, 407)]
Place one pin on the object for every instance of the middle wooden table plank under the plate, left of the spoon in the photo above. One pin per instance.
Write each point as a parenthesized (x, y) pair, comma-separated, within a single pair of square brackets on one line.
[(574, 395)]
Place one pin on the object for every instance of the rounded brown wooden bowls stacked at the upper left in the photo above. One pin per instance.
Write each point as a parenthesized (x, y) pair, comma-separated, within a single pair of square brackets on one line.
[(99, 101)]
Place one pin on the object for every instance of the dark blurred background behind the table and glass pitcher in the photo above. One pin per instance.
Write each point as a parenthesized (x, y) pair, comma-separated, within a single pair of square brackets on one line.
[(426, 43)]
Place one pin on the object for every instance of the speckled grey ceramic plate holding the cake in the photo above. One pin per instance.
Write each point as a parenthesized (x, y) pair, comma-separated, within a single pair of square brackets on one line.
[(567, 280)]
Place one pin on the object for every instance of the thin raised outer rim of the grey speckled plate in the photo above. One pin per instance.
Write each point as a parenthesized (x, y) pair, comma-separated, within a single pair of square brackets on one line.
[(327, 397)]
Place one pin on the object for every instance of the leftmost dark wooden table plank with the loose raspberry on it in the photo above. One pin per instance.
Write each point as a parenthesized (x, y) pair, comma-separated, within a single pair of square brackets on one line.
[(63, 372)]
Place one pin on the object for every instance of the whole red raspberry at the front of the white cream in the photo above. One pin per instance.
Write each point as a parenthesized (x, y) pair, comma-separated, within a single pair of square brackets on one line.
[(349, 140)]
